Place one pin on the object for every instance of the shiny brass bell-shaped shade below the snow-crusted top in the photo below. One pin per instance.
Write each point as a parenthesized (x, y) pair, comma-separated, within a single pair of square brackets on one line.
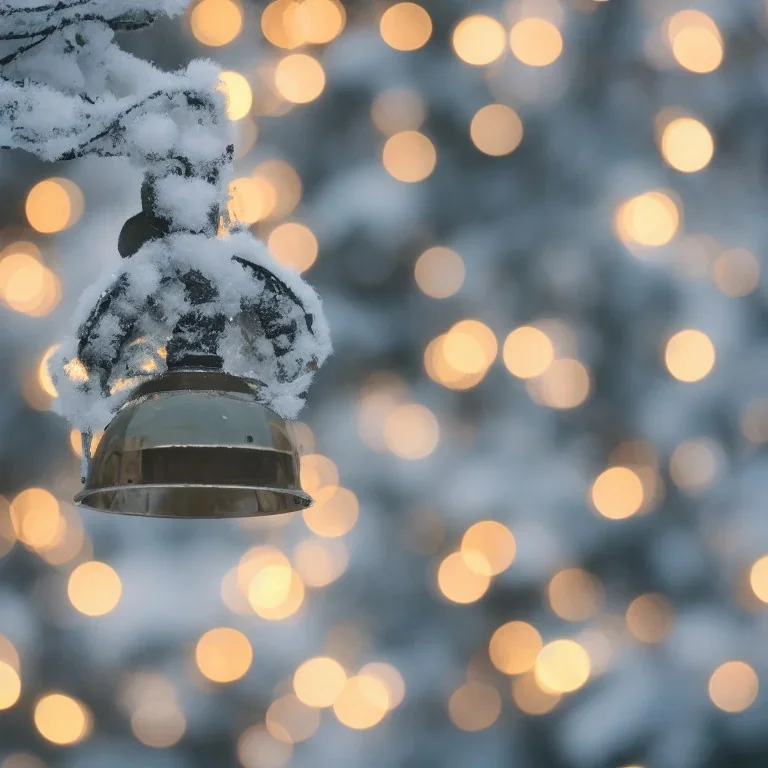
[(195, 444)]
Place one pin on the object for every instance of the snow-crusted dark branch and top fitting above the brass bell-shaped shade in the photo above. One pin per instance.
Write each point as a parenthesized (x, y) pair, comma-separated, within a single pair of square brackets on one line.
[(186, 296)]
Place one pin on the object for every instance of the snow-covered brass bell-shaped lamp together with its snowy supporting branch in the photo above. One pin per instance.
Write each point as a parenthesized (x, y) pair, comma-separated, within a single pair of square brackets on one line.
[(200, 345)]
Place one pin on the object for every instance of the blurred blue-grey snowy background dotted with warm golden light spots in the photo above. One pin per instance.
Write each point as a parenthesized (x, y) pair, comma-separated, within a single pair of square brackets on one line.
[(538, 452)]
